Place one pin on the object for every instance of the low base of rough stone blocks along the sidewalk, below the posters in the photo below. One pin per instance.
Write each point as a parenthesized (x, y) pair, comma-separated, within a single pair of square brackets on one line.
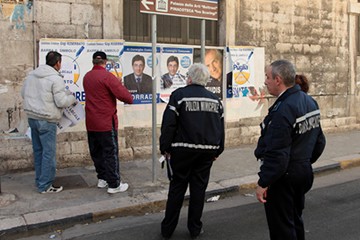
[(134, 143)]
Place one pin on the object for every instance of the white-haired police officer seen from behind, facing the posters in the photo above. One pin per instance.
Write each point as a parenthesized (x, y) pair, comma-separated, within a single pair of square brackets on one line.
[(192, 137)]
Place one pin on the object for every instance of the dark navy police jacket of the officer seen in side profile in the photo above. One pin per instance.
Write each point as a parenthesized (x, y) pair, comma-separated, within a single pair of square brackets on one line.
[(291, 132)]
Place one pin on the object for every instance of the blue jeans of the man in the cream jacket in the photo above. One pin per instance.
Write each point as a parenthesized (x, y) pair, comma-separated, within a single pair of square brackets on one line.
[(43, 136)]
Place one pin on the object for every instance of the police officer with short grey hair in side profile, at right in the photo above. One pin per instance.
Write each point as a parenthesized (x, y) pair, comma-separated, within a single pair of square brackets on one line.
[(291, 140)]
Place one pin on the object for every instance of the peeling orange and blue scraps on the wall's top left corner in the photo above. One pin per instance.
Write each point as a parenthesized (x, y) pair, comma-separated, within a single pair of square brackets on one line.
[(15, 11)]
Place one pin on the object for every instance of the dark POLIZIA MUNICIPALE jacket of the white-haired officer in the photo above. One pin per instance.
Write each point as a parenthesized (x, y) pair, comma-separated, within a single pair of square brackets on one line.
[(193, 121)]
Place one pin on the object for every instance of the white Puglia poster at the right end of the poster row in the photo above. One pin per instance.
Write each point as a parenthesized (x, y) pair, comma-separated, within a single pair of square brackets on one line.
[(245, 81)]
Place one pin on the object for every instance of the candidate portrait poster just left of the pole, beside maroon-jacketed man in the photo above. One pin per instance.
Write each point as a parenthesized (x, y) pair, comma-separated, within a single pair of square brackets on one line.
[(137, 75)]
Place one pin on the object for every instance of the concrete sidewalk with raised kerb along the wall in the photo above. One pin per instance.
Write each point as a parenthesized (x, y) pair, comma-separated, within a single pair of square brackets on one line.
[(24, 209)]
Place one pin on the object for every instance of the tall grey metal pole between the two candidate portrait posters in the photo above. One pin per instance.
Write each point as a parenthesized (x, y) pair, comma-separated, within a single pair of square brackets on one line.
[(154, 138)]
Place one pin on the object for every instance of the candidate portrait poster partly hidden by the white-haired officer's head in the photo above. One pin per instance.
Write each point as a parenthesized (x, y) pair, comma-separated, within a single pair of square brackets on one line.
[(174, 65)]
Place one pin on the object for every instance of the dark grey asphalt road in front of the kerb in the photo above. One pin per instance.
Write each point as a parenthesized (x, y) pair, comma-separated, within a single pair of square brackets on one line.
[(332, 212)]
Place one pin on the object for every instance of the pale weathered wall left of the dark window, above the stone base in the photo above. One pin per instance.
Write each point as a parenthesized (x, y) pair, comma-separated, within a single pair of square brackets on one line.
[(22, 24)]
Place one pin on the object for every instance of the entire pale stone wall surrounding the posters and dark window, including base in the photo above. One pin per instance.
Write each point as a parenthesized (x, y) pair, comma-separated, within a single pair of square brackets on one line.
[(316, 35)]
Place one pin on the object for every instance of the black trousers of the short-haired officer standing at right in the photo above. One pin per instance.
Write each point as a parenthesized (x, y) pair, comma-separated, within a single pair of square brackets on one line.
[(286, 201)]
